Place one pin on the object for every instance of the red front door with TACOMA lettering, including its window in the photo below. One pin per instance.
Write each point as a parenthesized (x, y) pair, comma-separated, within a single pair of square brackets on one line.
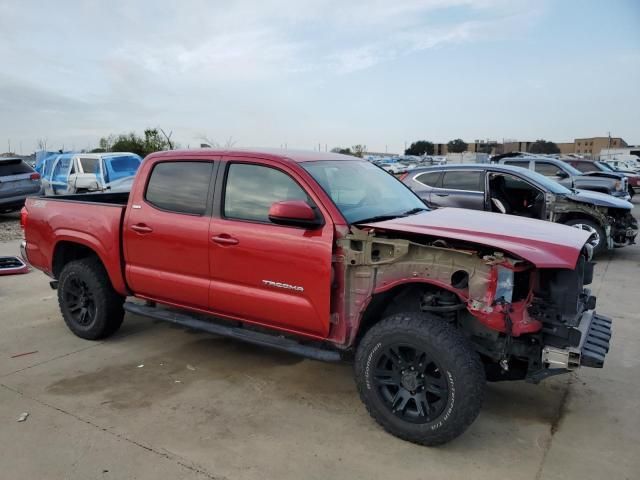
[(262, 272)]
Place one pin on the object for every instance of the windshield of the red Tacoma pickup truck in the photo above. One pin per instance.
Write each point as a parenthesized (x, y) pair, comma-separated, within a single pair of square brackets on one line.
[(362, 191)]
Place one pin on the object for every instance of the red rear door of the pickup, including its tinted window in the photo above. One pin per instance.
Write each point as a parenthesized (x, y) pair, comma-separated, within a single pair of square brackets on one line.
[(166, 233)]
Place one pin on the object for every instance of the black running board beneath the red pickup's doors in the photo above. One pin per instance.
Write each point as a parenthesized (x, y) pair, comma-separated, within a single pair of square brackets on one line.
[(195, 321)]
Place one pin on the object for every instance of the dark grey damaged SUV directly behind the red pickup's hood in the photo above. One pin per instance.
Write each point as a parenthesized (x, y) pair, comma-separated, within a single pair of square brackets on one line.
[(521, 192)]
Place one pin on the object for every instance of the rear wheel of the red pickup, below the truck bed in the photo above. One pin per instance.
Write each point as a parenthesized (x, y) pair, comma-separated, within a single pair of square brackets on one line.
[(90, 306)]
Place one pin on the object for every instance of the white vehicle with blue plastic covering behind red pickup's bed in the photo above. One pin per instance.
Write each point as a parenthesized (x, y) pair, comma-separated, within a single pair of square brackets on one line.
[(69, 173)]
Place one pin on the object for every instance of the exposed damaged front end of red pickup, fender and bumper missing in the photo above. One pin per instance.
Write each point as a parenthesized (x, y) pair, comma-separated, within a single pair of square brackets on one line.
[(525, 322)]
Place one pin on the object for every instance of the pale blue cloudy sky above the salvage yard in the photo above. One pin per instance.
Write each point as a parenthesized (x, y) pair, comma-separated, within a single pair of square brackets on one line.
[(310, 74)]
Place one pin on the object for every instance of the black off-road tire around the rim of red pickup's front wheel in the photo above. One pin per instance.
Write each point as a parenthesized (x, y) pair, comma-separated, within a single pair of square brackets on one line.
[(458, 364)]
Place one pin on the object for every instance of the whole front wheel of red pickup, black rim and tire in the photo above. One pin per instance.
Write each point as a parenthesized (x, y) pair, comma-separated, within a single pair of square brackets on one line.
[(419, 378)]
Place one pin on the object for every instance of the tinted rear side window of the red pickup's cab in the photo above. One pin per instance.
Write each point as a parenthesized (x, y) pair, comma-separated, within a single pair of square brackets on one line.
[(180, 187)]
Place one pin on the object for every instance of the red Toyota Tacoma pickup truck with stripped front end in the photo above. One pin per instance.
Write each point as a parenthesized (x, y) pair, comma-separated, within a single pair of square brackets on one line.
[(330, 257)]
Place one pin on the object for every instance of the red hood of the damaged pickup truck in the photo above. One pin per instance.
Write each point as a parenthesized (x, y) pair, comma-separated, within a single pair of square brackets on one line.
[(544, 244)]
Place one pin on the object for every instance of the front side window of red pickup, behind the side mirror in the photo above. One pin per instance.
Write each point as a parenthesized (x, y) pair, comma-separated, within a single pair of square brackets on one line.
[(252, 189)]
